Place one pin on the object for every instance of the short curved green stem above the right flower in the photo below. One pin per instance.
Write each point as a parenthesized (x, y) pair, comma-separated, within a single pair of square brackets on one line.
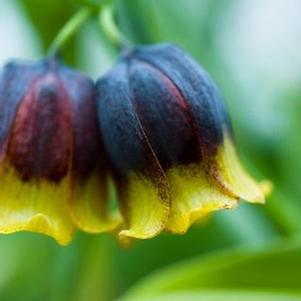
[(110, 28)]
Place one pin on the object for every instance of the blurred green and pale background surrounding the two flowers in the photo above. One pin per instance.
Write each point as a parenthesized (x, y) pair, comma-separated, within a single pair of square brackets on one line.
[(252, 49)]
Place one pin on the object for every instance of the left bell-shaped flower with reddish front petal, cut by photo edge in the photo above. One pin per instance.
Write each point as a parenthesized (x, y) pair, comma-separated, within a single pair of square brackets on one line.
[(52, 172)]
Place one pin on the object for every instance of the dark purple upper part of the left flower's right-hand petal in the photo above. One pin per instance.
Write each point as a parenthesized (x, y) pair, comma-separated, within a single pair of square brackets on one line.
[(88, 152)]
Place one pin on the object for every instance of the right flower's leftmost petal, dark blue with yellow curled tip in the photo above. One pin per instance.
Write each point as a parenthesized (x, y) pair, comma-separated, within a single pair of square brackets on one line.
[(141, 183)]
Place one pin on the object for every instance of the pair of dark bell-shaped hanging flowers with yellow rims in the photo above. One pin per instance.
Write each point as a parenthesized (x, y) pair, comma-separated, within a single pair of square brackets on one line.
[(155, 125)]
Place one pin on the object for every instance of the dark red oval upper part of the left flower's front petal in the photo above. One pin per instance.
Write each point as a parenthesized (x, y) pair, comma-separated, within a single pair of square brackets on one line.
[(40, 140)]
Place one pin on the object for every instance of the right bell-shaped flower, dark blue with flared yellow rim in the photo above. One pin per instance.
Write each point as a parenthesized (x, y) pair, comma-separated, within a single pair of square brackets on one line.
[(170, 142)]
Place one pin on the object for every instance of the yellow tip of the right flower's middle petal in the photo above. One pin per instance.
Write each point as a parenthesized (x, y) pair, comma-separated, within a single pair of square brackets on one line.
[(194, 196)]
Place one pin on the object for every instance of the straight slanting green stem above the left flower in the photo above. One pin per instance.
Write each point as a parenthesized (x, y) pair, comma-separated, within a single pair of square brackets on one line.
[(70, 28)]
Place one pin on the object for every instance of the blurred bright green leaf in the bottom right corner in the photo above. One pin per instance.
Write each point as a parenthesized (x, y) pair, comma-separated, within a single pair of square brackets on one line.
[(276, 268)]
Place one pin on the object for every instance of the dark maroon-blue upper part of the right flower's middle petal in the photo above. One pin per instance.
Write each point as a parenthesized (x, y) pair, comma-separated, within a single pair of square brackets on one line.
[(165, 115)]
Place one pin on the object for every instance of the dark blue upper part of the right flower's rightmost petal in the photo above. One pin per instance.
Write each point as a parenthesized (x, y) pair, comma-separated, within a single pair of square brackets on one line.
[(198, 89)]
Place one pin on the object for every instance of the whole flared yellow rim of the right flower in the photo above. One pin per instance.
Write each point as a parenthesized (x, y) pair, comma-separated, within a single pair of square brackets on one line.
[(193, 195)]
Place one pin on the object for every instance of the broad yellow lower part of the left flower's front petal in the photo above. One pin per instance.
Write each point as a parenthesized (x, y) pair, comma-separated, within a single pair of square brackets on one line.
[(34, 206)]
